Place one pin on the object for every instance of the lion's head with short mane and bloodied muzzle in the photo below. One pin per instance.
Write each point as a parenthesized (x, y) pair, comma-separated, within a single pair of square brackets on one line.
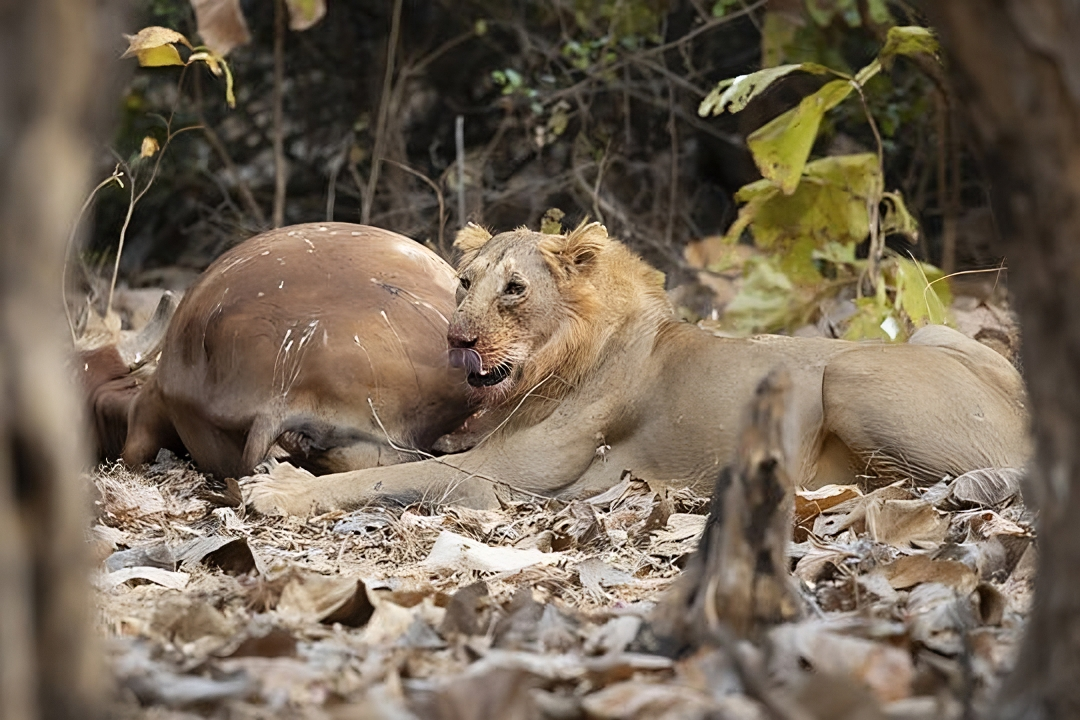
[(539, 310)]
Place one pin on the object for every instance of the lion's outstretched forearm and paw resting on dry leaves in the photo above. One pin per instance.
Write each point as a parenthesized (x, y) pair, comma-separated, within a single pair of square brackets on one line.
[(287, 492)]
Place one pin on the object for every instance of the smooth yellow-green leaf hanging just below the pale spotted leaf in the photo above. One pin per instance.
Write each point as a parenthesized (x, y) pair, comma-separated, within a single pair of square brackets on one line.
[(782, 146)]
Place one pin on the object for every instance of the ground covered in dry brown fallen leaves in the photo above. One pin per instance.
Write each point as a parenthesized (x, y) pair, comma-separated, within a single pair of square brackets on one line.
[(914, 603)]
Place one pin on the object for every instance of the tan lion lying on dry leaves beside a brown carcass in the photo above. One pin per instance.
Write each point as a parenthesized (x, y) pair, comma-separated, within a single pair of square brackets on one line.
[(584, 373)]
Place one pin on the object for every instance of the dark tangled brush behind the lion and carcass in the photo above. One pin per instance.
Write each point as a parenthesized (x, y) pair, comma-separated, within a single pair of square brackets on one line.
[(585, 105)]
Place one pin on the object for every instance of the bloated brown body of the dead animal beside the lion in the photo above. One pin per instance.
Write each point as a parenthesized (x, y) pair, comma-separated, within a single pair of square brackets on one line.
[(328, 341)]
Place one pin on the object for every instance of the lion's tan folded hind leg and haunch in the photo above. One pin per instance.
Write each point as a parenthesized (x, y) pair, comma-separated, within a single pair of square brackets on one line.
[(942, 404)]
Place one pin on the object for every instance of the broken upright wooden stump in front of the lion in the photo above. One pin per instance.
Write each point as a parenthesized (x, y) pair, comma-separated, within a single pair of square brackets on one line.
[(738, 578)]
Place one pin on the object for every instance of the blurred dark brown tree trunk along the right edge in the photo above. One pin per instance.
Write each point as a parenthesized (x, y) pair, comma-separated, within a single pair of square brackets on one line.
[(1018, 69)]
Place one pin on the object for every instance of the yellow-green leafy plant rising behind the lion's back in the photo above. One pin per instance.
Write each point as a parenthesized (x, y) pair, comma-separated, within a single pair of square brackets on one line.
[(809, 218)]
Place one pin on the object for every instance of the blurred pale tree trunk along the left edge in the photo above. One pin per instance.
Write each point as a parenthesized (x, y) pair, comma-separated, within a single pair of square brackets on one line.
[(49, 664)]
